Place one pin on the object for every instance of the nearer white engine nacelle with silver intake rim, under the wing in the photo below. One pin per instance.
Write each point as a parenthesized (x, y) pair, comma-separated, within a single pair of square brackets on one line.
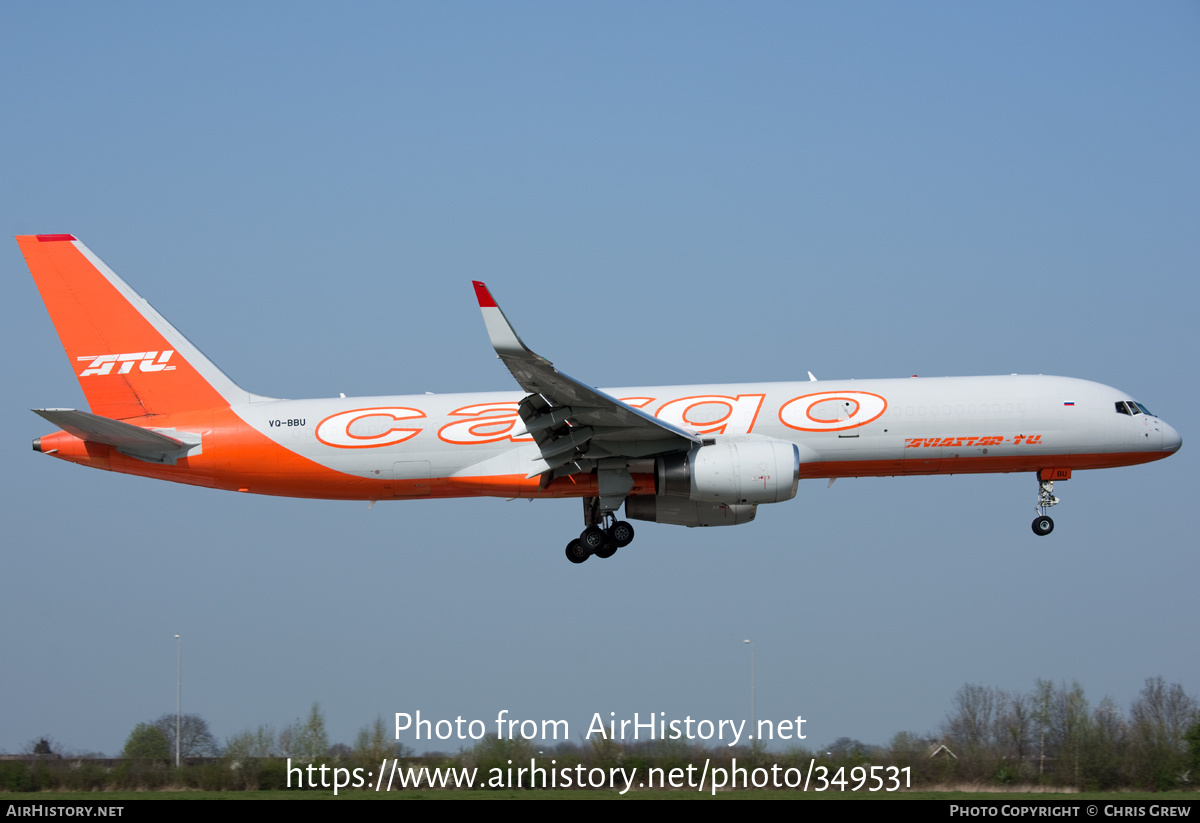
[(734, 471)]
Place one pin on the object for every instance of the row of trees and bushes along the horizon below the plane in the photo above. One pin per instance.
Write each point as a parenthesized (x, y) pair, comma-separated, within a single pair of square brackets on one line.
[(1051, 736)]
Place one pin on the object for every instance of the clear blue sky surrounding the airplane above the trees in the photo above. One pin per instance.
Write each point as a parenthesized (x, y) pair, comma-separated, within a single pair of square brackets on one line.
[(657, 194)]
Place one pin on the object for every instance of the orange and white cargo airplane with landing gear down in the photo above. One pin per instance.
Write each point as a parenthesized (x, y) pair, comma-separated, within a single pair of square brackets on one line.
[(692, 455)]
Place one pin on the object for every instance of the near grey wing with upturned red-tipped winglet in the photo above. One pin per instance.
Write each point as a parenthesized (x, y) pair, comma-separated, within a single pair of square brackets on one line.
[(574, 425)]
